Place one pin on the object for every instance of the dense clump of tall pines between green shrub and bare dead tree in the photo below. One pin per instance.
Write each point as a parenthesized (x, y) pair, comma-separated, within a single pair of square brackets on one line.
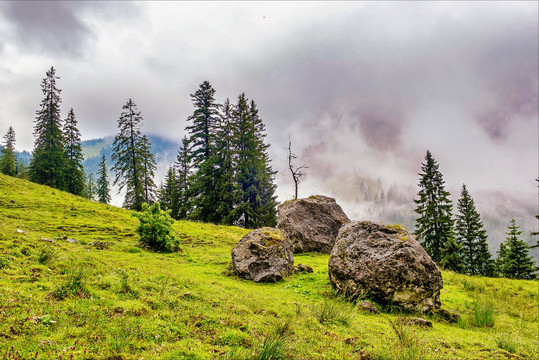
[(223, 172)]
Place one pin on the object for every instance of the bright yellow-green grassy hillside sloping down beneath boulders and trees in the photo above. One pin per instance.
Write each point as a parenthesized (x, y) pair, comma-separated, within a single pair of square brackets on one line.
[(77, 301)]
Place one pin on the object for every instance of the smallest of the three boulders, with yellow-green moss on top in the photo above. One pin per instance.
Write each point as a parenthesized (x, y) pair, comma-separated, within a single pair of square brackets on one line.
[(263, 255)]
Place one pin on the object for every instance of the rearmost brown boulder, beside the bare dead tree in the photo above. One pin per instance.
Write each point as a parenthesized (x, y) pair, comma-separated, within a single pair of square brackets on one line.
[(312, 224)]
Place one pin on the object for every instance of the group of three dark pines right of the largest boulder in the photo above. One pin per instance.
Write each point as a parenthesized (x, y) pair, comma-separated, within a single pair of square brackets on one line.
[(460, 243)]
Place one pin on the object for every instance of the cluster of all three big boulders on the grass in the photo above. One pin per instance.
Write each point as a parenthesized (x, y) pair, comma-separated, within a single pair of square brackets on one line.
[(382, 262)]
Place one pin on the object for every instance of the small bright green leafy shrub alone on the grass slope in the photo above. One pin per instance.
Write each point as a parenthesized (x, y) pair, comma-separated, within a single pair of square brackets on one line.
[(155, 228)]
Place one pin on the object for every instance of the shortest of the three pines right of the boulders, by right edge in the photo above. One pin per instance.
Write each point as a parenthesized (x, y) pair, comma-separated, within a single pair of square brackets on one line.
[(514, 260)]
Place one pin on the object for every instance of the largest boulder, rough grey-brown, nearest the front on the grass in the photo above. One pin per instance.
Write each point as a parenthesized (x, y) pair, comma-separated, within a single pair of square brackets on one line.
[(386, 264)]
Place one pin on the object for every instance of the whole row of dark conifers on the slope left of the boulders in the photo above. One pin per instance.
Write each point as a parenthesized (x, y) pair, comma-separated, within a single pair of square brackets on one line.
[(222, 174)]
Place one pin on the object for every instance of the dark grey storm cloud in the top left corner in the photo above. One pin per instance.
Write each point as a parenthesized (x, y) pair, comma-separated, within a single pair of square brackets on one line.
[(55, 27)]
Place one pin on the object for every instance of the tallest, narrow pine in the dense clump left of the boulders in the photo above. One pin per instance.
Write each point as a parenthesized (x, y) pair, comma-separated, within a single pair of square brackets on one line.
[(201, 134)]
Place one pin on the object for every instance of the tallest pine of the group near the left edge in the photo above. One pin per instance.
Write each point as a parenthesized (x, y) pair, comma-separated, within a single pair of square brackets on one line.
[(48, 166)]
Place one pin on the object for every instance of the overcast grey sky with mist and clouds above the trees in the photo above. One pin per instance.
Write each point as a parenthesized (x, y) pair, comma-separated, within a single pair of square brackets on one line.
[(364, 88)]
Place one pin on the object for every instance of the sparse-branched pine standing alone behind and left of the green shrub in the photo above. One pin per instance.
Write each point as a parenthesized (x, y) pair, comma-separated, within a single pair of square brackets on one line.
[(129, 158)]
